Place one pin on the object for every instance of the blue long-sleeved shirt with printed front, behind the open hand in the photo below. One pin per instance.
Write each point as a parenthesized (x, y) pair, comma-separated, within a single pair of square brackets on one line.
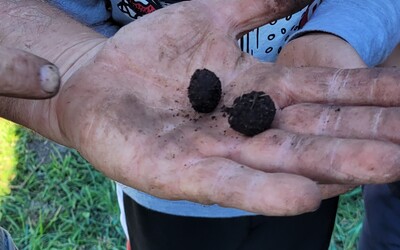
[(367, 25)]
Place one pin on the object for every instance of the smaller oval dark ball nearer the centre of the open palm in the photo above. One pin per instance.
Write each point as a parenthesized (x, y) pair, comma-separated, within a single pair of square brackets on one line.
[(204, 91)]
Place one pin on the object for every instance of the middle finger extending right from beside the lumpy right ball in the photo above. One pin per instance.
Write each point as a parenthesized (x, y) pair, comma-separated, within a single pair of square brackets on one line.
[(359, 122)]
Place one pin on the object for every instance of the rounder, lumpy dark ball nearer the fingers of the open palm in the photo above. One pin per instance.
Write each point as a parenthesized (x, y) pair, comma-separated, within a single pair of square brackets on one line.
[(251, 113)]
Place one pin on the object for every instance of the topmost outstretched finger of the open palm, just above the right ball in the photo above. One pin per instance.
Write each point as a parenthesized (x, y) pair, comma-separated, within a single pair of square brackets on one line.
[(288, 86)]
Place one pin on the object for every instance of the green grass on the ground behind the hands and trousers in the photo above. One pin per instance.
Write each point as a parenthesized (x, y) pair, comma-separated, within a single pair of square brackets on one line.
[(51, 198)]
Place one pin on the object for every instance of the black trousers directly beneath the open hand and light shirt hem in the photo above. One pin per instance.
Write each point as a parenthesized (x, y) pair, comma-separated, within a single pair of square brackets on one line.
[(151, 230)]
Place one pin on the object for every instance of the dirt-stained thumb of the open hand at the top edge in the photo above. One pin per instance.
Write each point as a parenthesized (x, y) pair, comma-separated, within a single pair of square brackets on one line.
[(240, 16)]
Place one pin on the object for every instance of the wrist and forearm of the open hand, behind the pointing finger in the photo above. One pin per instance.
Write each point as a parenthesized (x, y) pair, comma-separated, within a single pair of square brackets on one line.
[(37, 27)]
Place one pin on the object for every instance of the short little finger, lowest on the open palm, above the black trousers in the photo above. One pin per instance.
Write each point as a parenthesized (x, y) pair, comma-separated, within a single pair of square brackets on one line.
[(221, 181)]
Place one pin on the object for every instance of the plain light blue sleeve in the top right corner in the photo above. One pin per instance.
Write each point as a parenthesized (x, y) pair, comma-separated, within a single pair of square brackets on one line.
[(370, 27)]
